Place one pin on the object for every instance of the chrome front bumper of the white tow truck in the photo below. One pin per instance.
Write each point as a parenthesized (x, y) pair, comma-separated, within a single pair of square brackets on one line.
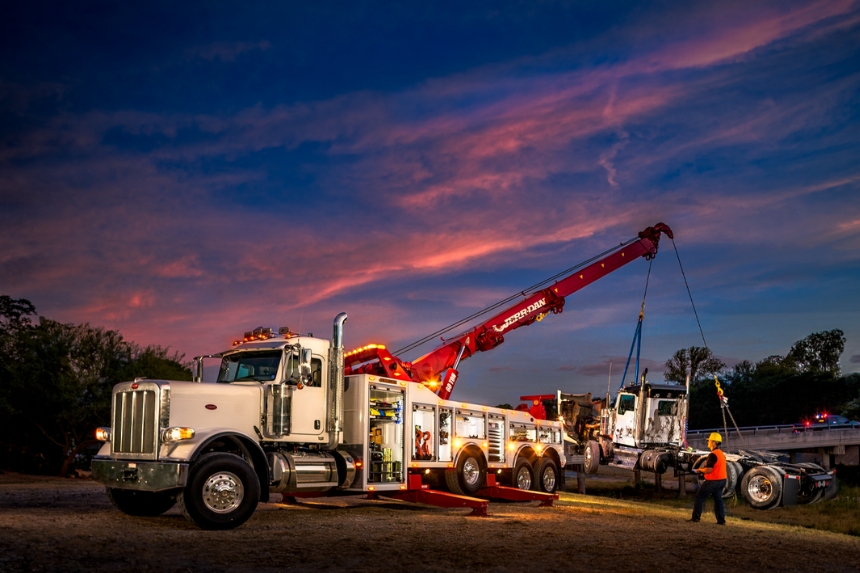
[(144, 476)]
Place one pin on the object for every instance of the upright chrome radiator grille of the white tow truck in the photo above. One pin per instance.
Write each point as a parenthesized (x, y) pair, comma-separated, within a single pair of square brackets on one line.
[(135, 423)]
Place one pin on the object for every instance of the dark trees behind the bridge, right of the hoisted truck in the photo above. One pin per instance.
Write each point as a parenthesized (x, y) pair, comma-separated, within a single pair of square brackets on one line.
[(775, 390)]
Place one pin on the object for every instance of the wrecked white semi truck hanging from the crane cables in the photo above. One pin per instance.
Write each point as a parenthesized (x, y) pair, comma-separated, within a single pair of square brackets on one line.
[(645, 429)]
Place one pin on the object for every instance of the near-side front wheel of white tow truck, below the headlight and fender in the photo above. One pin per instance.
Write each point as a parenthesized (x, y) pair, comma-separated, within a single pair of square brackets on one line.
[(222, 492)]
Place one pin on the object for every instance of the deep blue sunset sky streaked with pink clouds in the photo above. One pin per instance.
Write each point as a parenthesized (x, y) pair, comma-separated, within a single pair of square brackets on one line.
[(184, 172)]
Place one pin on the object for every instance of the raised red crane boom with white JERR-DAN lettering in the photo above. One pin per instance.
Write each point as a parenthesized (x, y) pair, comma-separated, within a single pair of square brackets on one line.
[(445, 358)]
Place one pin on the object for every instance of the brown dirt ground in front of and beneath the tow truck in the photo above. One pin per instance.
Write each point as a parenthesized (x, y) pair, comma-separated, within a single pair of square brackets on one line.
[(53, 524)]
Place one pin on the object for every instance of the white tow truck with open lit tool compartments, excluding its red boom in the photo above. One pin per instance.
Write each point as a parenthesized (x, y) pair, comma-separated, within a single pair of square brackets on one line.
[(283, 418)]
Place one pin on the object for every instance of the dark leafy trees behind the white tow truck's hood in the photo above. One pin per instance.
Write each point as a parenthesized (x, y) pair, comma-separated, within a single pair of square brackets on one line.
[(56, 382)]
